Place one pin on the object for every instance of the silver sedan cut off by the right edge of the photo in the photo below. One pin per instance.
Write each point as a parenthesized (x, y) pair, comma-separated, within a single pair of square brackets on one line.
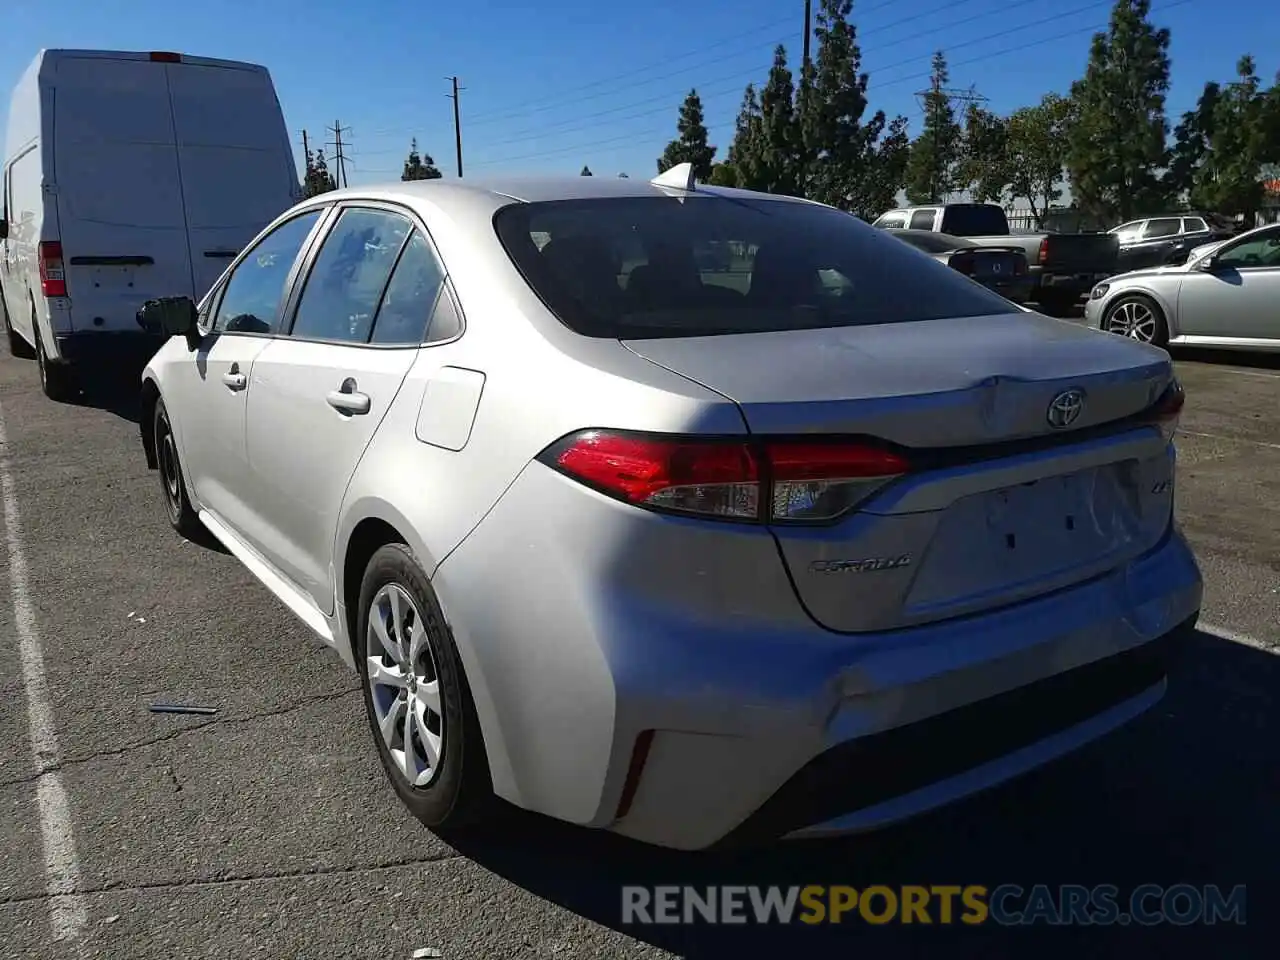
[(1227, 295)]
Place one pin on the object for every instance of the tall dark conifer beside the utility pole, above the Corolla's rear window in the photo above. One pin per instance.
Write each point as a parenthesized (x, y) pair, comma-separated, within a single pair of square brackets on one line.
[(847, 164)]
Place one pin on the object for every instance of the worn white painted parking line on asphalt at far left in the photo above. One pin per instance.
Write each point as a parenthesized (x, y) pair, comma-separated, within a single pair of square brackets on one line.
[(68, 913)]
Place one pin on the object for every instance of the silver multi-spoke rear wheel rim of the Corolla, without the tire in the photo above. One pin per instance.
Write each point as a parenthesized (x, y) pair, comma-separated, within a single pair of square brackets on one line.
[(405, 685)]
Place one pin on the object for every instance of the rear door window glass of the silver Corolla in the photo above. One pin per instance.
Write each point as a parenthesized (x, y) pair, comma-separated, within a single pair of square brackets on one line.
[(349, 277)]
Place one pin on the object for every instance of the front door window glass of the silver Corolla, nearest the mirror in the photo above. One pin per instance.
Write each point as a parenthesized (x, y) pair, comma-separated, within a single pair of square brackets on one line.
[(255, 289)]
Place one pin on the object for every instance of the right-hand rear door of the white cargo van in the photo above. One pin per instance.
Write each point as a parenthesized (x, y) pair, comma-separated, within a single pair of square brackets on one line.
[(236, 162)]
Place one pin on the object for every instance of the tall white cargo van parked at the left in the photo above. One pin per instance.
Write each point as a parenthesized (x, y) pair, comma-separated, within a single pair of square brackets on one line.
[(130, 176)]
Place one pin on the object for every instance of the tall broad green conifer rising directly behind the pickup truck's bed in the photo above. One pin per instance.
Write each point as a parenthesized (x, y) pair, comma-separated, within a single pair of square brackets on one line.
[(1118, 143)]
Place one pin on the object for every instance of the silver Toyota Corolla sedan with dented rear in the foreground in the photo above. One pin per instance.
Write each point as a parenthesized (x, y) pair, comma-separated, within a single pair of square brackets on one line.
[(691, 514)]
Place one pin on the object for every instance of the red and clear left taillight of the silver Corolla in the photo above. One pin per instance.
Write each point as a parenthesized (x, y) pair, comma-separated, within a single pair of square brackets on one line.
[(772, 482)]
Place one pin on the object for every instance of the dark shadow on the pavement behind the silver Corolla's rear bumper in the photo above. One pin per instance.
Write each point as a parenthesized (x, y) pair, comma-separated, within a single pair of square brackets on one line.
[(1187, 794)]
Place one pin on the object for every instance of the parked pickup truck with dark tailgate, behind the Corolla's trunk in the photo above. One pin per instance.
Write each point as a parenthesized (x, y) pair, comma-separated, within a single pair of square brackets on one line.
[(1064, 267)]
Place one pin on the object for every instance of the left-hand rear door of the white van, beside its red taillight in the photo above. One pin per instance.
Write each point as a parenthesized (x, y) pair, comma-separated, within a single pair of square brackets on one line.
[(120, 191)]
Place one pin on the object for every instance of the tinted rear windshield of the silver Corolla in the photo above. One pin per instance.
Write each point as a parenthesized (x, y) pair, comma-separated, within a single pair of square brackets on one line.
[(653, 267)]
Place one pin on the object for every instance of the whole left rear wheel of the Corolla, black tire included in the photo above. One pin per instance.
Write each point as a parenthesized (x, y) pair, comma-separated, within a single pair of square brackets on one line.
[(455, 790)]
